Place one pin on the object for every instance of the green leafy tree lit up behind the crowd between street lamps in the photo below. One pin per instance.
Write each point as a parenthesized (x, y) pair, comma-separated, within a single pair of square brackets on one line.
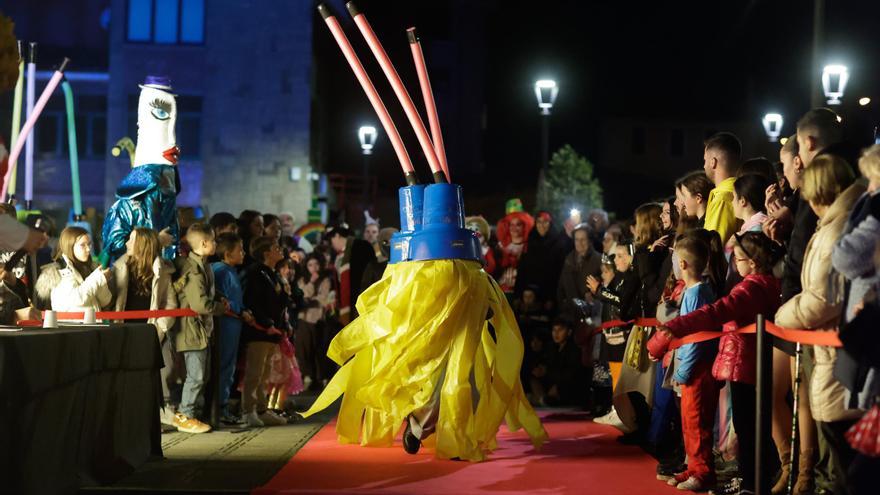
[(569, 183)]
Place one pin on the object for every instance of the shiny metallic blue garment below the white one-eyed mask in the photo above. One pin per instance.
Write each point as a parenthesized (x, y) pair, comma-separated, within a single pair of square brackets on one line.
[(146, 197)]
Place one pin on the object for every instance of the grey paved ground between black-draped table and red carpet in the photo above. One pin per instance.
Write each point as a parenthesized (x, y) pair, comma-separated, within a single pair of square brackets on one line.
[(224, 462)]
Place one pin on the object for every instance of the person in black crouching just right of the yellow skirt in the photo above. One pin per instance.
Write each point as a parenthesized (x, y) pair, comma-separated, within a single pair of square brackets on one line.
[(555, 381)]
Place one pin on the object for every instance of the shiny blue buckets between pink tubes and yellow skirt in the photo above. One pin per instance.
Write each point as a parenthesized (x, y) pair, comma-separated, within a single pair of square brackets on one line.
[(432, 226)]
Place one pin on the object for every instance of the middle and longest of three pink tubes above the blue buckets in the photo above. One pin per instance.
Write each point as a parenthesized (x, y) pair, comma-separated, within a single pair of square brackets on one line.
[(391, 73)]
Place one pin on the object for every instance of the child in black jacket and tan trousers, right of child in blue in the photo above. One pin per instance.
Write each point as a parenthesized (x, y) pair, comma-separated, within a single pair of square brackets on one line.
[(265, 297)]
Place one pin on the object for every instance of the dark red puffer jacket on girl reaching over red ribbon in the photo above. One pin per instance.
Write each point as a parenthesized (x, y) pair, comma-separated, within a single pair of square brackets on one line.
[(737, 354)]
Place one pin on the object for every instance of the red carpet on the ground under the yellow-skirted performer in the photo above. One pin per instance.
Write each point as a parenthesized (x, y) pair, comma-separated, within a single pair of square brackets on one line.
[(581, 457)]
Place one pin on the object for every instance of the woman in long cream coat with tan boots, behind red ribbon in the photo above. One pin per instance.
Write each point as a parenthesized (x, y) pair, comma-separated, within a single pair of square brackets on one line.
[(829, 189)]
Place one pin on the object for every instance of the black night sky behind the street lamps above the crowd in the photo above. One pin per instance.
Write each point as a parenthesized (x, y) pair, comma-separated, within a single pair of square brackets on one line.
[(731, 60)]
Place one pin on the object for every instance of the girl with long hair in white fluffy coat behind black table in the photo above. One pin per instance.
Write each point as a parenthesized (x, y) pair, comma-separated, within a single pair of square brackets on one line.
[(74, 282)]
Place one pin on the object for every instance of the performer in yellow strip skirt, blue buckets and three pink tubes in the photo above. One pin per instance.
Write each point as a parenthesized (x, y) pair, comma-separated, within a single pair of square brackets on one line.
[(422, 341)]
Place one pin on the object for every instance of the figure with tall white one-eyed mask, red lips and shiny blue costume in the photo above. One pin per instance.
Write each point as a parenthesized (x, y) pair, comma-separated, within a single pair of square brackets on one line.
[(147, 196)]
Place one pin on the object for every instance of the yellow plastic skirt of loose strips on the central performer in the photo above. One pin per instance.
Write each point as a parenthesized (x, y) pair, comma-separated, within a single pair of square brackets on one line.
[(422, 318)]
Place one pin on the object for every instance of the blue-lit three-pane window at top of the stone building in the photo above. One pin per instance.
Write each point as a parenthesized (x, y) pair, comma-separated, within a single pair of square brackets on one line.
[(168, 22)]
